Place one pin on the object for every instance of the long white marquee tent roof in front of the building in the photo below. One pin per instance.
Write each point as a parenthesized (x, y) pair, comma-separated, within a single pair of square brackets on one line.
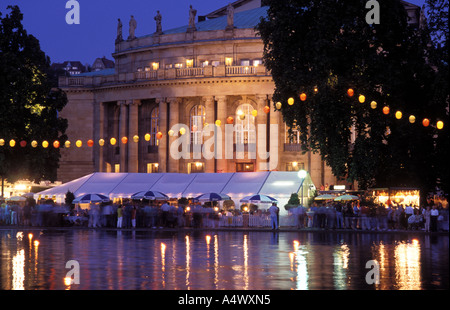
[(277, 184)]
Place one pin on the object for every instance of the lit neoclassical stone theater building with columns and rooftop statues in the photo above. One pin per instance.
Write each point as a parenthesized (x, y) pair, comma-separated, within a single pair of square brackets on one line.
[(194, 75)]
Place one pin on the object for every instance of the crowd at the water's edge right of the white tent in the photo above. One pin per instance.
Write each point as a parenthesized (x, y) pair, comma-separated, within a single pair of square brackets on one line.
[(350, 215)]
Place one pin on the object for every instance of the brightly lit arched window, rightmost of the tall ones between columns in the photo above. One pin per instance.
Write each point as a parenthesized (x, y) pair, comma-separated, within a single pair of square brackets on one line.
[(245, 124)]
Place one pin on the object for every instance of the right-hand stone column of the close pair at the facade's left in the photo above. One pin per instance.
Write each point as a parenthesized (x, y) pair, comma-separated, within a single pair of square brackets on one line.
[(133, 129)]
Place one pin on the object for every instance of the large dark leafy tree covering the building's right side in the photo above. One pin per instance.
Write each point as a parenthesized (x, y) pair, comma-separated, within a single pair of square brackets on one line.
[(322, 49)]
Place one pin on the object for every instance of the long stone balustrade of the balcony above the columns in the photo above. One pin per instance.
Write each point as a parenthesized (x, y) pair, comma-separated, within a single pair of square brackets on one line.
[(163, 74)]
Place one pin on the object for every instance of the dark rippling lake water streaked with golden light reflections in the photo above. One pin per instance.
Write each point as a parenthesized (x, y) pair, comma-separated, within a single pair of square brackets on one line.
[(220, 260)]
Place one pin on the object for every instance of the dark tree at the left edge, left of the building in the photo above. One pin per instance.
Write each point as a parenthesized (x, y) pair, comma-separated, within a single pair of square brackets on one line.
[(29, 104)]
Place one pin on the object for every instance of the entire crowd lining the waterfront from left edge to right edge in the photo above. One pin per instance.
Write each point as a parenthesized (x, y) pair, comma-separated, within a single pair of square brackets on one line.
[(160, 214)]
